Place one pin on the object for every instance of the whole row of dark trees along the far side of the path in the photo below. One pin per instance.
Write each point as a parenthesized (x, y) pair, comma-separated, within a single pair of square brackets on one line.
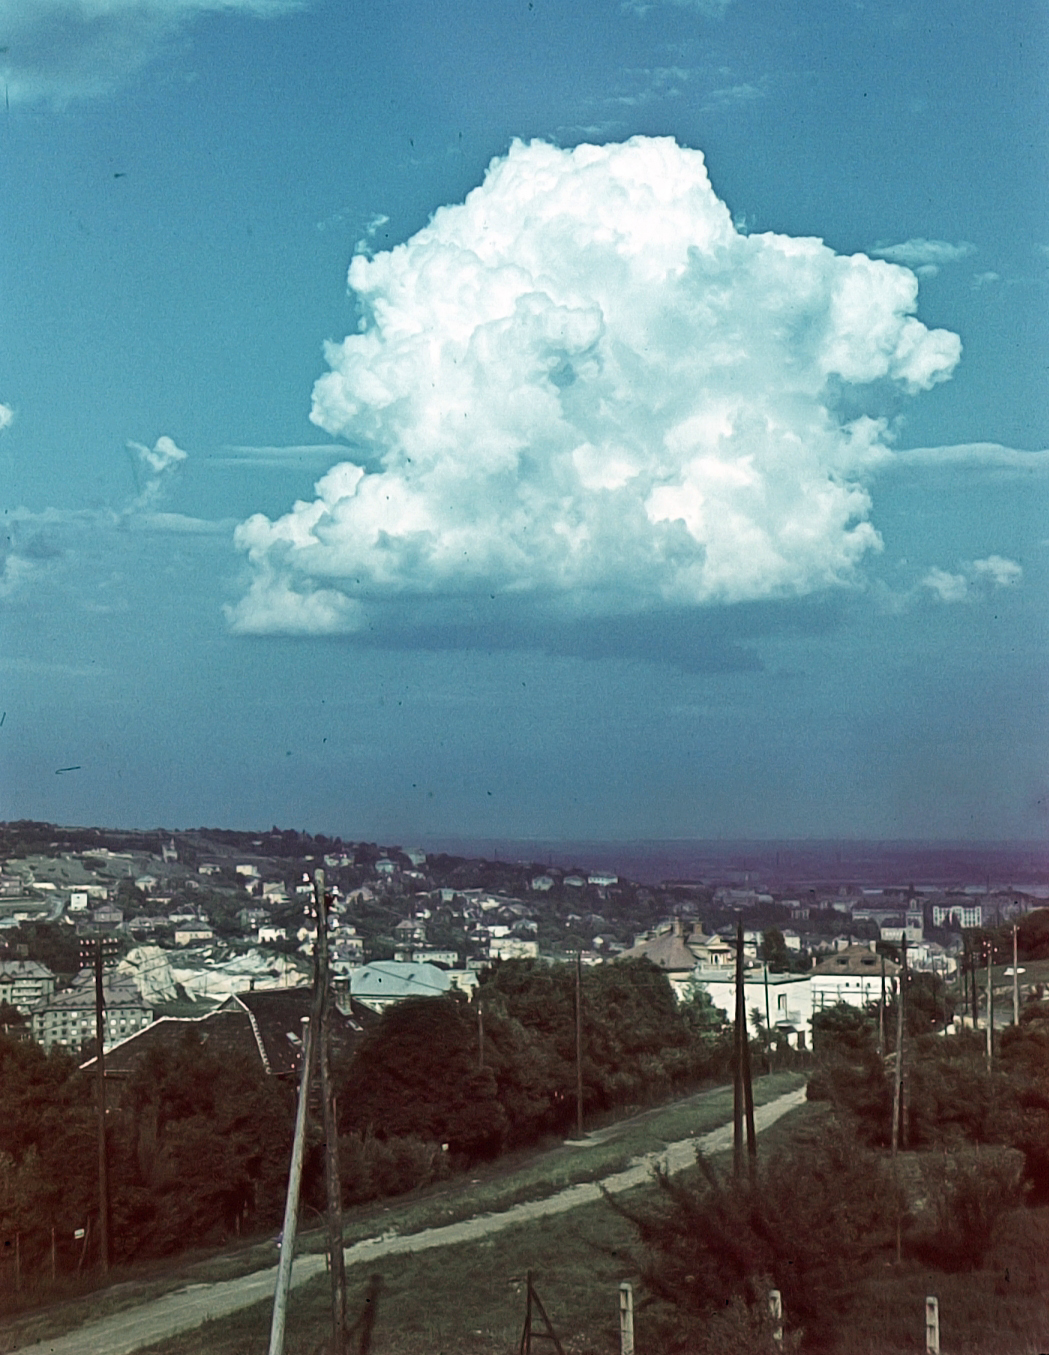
[(199, 1146)]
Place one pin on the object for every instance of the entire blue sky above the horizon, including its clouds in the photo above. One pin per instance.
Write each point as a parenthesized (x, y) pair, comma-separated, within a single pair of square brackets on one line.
[(674, 467)]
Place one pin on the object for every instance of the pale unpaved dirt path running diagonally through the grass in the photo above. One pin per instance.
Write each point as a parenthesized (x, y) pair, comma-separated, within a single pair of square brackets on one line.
[(188, 1308)]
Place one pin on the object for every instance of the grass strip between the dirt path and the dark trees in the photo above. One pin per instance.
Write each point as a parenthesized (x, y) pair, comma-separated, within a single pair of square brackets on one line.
[(45, 1310)]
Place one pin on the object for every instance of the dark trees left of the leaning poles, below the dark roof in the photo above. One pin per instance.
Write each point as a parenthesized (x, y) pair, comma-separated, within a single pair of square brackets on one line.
[(197, 1148)]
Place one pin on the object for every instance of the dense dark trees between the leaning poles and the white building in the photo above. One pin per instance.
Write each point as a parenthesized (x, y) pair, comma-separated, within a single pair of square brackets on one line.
[(502, 1068)]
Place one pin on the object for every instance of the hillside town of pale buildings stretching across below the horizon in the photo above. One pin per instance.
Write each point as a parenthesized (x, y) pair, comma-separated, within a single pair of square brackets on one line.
[(268, 938)]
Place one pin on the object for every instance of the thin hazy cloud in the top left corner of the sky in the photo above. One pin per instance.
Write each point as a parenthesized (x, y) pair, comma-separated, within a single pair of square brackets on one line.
[(74, 49)]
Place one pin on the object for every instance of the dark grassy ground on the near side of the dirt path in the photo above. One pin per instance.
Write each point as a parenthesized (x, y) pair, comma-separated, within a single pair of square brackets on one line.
[(470, 1300)]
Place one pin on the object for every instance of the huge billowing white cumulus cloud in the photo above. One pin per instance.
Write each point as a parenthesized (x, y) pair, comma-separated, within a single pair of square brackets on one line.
[(583, 385)]
